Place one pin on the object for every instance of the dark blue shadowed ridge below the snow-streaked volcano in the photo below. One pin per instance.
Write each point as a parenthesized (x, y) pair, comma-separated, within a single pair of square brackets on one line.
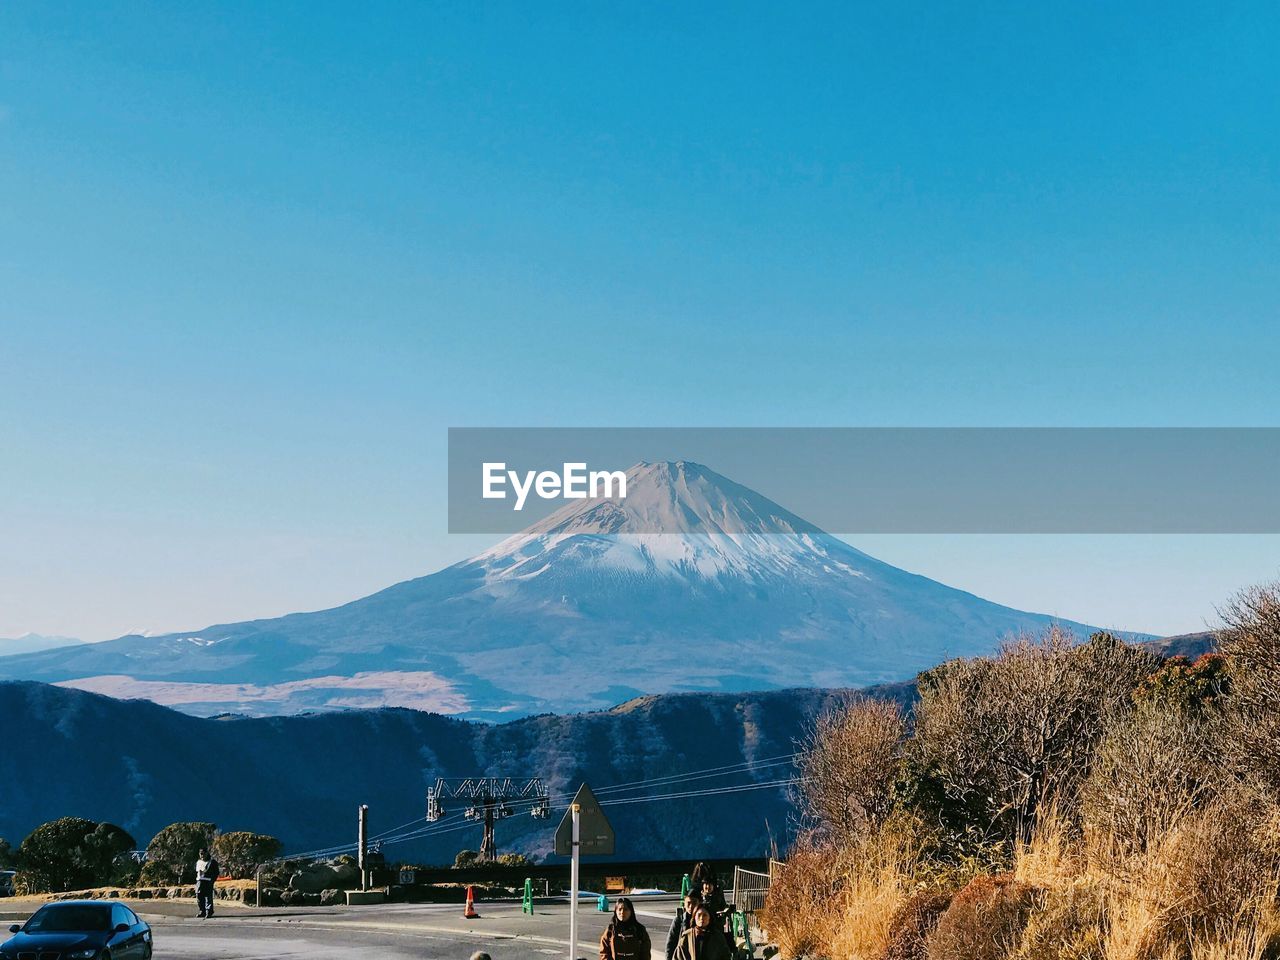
[(301, 779)]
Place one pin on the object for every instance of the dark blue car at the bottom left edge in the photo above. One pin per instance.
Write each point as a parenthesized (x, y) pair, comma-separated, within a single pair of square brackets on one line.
[(80, 930)]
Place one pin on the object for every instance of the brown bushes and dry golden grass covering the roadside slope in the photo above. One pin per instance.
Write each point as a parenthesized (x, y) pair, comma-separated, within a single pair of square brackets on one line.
[(1060, 801)]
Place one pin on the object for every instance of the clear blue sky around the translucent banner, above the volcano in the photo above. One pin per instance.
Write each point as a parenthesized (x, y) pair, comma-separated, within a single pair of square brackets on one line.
[(255, 259)]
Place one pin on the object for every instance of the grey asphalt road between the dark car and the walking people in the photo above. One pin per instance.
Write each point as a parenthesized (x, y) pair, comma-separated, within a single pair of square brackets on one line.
[(391, 932)]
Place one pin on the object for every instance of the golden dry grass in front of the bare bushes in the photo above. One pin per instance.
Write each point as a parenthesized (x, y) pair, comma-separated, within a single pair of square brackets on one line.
[(1204, 890)]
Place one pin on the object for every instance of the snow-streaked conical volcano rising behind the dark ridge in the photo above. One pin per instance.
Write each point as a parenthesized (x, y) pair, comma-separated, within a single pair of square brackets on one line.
[(582, 611)]
